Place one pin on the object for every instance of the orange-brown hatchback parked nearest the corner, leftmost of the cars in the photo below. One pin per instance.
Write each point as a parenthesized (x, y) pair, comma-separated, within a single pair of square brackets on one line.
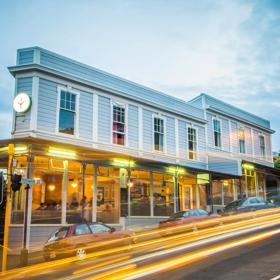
[(82, 238)]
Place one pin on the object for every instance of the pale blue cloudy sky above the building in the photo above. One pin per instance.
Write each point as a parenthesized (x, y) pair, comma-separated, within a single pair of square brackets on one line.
[(229, 49)]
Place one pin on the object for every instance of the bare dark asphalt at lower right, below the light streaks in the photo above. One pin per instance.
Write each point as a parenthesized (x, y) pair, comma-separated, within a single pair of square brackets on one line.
[(256, 261)]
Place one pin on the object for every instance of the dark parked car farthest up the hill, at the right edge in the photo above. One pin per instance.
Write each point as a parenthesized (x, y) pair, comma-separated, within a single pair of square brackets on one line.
[(246, 205)]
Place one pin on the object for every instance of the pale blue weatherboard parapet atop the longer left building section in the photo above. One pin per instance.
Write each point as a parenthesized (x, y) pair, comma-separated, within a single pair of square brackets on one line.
[(50, 62)]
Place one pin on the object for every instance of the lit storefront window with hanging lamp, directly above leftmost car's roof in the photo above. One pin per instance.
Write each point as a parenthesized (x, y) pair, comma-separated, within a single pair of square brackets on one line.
[(79, 194)]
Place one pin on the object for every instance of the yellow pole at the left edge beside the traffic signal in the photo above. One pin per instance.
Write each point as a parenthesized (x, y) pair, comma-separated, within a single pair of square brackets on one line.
[(11, 150)]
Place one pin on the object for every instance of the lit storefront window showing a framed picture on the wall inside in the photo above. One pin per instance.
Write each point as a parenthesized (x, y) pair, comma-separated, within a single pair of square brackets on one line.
[(108, 192)]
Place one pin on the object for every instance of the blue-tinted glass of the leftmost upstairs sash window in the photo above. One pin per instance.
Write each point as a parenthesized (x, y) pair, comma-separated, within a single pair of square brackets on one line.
[(67, 112)]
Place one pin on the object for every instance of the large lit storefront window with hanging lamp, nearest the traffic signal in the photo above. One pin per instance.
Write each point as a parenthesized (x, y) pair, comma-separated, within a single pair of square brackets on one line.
[(47, 196)]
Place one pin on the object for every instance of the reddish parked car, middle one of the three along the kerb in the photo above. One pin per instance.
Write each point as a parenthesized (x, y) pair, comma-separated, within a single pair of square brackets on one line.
[(187, 217)]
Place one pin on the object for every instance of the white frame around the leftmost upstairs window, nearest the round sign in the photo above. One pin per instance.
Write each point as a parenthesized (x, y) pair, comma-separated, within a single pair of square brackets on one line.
[(77, 113)]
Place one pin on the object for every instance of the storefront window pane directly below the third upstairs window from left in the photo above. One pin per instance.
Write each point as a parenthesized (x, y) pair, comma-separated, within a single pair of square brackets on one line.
[(163, 187)]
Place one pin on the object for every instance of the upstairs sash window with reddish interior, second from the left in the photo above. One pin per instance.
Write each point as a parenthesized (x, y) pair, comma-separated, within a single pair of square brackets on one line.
[(118, 124)]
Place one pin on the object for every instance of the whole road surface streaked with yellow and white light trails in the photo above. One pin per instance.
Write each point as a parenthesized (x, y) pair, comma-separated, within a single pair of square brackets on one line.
[(240, 249)]
